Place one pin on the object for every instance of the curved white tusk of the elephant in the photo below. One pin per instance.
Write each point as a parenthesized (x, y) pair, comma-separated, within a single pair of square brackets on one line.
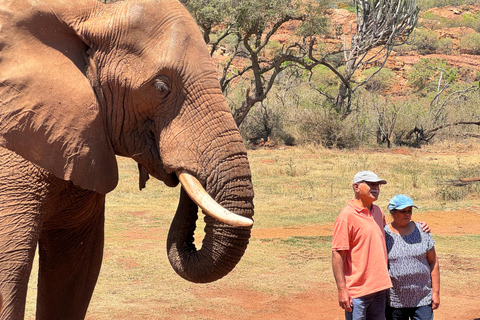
[(198, 194)]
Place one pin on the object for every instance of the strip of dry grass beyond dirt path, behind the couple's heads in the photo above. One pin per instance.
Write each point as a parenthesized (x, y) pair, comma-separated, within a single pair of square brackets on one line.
[(321, 186)]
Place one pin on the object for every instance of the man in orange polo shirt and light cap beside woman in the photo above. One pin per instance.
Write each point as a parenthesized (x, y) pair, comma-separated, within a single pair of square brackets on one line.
[(359, 256)]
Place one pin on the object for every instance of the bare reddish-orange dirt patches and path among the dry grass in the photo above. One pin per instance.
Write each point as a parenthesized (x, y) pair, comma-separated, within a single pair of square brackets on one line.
[(319, 302)]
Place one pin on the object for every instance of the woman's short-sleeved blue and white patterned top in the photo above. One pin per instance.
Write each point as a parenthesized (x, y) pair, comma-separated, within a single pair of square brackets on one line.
[(408, 268)]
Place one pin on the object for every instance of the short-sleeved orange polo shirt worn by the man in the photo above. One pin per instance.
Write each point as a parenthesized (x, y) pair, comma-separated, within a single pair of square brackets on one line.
[(360, 232)]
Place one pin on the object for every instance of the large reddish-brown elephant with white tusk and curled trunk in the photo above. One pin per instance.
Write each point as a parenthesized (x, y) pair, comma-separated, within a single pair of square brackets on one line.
[(82, 83)]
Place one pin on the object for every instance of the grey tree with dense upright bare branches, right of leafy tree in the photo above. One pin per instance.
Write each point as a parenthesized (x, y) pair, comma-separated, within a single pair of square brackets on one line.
[(381, 25)]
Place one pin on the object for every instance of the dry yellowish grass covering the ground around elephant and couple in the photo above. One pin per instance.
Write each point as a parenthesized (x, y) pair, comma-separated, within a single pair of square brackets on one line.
[(294, 188)]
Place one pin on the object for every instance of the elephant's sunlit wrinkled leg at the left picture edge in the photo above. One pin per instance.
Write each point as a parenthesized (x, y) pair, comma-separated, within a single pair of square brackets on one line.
[(21, 195)]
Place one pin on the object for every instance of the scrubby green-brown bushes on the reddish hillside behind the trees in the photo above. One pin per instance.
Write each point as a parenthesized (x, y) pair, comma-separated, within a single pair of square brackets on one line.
[(439, 101)]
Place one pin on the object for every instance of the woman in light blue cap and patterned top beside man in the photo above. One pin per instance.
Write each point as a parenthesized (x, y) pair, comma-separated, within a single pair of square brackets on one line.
[(412, 264)]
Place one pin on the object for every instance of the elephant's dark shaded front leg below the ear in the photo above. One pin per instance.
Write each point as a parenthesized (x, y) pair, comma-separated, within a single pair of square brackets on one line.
[(71, 251)]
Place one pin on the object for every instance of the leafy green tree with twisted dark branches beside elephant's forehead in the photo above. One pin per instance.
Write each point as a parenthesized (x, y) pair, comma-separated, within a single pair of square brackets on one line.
[(248, 27)]
